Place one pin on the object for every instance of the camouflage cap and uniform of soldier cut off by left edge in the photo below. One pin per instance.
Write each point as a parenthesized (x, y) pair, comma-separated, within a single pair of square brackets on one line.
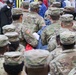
[(3, 42)]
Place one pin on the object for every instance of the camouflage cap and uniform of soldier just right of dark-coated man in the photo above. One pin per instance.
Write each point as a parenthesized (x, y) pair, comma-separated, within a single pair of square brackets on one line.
[(18, 25)]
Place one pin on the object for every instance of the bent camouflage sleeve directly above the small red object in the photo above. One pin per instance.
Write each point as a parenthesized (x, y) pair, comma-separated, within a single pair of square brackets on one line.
[(29, 37)]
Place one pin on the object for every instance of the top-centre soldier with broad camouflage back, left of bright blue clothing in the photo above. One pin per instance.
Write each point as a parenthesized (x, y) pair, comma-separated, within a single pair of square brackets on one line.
[(33, 18)]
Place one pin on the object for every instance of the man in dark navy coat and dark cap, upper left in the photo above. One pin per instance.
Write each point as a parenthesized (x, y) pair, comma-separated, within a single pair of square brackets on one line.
[(6, 15)]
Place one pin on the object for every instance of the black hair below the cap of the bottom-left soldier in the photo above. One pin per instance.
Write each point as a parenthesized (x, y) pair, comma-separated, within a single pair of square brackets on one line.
[(13, 69)]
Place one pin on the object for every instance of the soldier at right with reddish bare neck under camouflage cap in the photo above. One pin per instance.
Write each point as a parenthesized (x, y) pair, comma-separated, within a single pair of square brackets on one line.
[(66, 24)]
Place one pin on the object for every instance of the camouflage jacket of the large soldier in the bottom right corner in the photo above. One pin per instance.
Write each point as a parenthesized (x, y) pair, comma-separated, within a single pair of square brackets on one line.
[(62, 64)]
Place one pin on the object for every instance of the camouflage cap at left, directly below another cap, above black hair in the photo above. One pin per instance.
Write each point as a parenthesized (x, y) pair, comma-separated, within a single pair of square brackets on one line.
[(13, 36)]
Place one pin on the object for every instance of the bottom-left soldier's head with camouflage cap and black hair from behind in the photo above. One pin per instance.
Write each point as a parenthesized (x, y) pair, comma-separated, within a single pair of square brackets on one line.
[(13, 63)]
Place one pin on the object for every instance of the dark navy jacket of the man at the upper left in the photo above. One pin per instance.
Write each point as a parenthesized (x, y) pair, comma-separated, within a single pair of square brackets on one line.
[(5, 16)]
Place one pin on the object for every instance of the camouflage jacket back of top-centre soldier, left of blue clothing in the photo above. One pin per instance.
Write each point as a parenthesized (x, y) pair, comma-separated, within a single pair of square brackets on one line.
[(34, 20)]
